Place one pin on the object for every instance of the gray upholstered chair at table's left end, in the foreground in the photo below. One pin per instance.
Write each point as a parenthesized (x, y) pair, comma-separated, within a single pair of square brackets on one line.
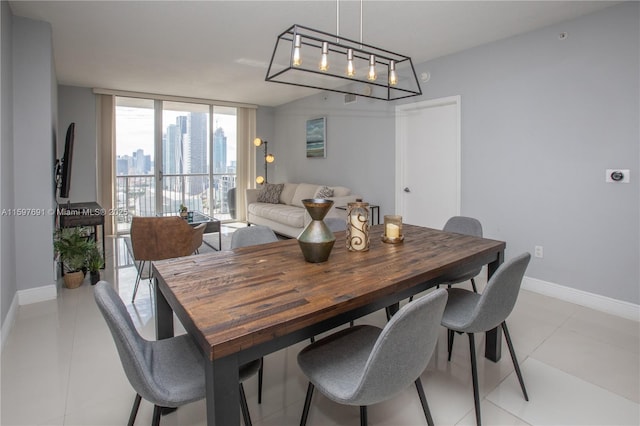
[(168, 372)]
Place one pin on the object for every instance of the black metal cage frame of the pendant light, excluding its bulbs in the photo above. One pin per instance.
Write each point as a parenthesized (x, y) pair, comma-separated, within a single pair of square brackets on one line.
[(286, 73)]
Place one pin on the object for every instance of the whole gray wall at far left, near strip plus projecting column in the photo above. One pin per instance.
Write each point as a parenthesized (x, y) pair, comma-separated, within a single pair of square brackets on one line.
[(27, 157)]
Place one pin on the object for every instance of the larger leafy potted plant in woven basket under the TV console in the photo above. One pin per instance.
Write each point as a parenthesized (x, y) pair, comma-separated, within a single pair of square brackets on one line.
[(71, 246)]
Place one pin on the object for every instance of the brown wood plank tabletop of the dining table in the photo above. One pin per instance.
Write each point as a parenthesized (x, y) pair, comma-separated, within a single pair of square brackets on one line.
[(232, 300)]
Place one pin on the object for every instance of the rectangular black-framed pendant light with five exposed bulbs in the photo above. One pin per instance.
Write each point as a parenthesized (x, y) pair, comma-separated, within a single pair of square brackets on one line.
[(310, 58)]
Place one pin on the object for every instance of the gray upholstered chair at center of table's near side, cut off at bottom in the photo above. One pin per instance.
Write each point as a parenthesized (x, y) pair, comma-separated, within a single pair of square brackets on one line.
[(364, 365)]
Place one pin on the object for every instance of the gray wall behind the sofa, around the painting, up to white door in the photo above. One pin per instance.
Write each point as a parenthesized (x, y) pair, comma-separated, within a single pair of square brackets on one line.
[(360, 146)]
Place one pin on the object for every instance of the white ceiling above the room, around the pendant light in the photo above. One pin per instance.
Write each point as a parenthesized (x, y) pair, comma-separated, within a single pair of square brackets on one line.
[(221, 49)]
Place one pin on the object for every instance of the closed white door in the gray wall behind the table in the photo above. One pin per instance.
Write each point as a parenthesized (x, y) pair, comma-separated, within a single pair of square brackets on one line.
[(428, 161)]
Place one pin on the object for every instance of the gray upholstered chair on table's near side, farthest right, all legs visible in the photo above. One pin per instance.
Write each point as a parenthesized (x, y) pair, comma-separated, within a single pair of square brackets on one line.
[(470, 313)]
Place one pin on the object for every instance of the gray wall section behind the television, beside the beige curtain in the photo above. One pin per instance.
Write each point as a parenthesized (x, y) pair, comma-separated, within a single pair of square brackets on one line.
[(78, 105)]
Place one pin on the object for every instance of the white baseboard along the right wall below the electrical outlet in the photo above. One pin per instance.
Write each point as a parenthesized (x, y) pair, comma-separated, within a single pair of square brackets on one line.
[(590, 300)]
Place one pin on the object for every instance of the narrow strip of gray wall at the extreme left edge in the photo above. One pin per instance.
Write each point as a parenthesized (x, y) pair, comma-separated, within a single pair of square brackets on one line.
[(8, 284)]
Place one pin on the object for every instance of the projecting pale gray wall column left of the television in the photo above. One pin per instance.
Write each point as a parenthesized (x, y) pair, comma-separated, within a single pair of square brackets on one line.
[(34, 130)]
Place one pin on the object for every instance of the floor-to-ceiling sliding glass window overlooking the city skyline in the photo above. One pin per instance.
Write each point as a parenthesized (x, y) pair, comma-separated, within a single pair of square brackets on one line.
[(171, 153)]
